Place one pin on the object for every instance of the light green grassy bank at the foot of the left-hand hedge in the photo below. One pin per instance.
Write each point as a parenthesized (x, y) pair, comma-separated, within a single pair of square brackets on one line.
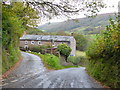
[(9, 59)]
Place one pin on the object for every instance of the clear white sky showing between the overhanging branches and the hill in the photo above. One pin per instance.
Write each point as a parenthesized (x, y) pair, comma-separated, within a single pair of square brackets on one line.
[(109, 9)]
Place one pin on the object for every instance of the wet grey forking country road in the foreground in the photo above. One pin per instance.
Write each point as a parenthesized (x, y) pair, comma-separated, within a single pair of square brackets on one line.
[(32, 74)]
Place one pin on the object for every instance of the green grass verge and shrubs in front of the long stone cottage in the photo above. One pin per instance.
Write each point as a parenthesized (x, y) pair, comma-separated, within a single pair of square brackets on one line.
[(53, 60)]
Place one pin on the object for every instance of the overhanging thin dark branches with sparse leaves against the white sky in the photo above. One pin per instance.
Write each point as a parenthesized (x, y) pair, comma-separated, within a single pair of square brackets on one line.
[(62, 8)]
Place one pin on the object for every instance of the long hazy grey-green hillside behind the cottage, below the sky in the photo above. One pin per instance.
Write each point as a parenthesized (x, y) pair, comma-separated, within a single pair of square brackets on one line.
[(80, 25)]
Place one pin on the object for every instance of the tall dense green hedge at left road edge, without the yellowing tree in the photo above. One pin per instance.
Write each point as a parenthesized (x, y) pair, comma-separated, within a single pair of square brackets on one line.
[(12, 29)]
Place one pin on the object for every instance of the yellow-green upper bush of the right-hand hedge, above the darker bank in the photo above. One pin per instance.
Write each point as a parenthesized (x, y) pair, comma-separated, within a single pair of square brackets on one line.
[(107, 43)]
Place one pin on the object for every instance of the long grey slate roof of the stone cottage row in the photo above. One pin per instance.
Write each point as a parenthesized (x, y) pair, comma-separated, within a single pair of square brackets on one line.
[(46, 37)]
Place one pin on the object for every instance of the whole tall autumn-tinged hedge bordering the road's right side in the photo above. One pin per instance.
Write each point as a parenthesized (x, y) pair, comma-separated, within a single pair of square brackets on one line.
[(104, 56)]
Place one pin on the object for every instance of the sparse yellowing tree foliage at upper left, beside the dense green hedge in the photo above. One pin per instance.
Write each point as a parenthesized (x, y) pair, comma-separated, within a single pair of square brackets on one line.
[(26, 13)]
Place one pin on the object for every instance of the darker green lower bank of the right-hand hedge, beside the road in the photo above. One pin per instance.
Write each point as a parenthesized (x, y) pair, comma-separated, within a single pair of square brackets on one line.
[(105, 72)]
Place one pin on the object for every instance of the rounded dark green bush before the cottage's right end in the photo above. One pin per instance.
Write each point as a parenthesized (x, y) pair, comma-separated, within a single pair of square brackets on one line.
[(64, 50)]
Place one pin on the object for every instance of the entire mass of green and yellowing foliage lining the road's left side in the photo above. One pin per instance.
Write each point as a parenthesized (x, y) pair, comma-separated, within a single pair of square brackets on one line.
[(14, 23)]
